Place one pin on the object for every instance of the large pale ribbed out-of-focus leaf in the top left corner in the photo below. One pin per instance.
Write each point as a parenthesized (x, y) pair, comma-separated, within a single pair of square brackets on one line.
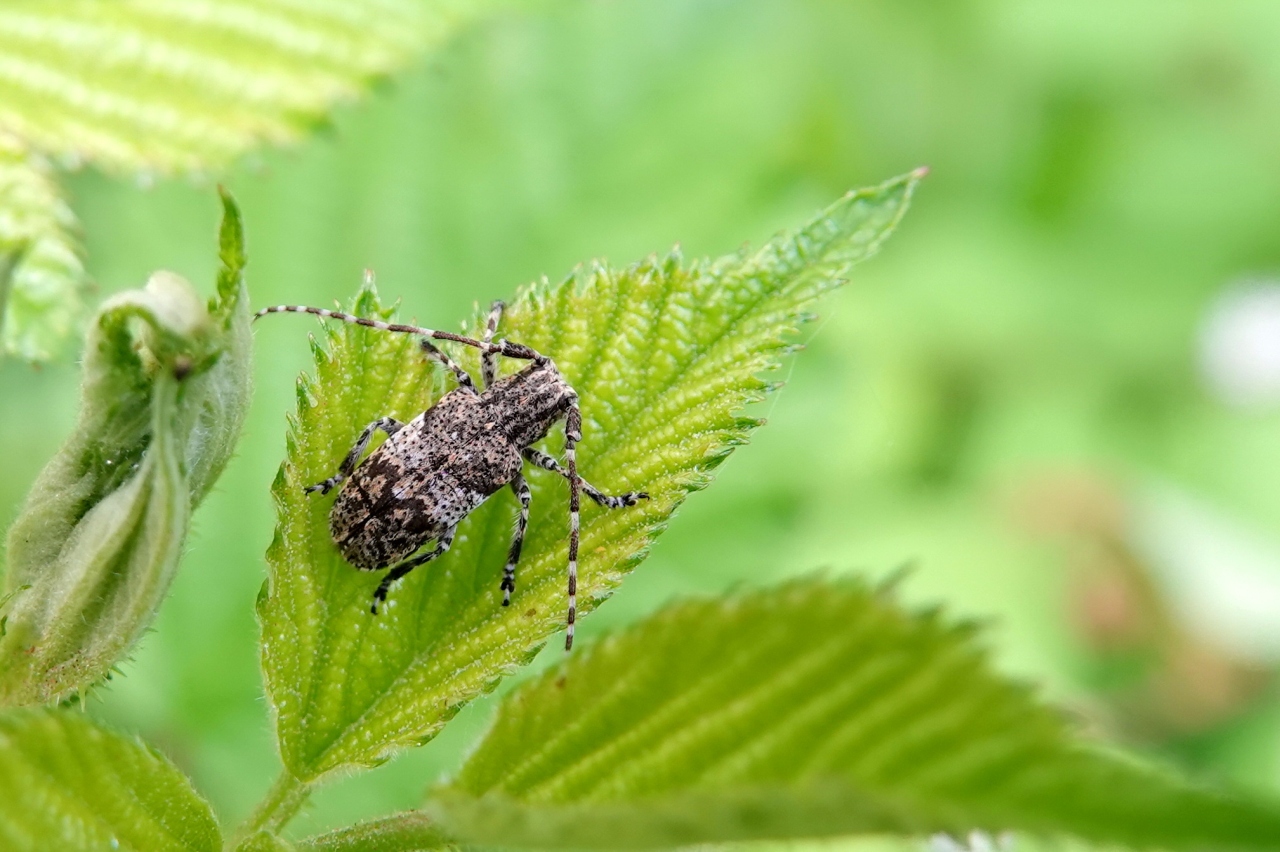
[(162, 86)]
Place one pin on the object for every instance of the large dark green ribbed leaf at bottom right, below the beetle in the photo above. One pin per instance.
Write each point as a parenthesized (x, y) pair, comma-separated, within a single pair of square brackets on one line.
[(815, 709)]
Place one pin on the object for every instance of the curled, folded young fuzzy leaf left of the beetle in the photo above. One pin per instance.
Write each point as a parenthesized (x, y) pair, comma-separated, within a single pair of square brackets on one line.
[(99, 540)]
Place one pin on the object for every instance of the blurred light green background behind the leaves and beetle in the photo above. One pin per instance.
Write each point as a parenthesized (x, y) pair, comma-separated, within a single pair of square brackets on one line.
[(1054, 398)]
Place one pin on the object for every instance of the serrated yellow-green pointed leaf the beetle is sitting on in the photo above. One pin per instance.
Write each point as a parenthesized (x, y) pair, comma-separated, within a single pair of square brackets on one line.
[(665, 356)]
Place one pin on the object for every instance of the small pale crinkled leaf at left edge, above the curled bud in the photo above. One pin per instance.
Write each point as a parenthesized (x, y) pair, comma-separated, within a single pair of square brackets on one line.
[(43, 291)]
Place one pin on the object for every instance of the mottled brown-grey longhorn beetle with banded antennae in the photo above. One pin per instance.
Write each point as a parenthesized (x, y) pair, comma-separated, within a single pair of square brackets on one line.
[(435, 470)]
